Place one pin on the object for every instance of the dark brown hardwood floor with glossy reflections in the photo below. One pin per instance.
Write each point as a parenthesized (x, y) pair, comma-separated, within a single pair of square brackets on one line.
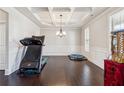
[(59, 71)]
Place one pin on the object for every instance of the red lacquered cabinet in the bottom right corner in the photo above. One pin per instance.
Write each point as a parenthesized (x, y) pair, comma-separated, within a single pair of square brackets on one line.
[(114, 73)]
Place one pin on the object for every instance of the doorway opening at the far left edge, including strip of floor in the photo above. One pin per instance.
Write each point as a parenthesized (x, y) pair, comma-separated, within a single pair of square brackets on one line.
[(3, 40)]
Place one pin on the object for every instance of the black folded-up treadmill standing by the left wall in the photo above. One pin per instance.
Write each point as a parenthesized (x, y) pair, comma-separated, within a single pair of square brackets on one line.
[(32, 60)]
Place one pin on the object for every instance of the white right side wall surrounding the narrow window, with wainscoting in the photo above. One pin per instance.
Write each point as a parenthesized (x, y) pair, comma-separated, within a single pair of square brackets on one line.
[(99, 38)]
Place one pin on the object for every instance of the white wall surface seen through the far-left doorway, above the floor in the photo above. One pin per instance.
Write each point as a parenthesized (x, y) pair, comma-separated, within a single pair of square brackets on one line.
[(3, 23)]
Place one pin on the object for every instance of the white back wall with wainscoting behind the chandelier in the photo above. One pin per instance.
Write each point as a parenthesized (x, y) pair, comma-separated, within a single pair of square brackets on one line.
[(61, 46)]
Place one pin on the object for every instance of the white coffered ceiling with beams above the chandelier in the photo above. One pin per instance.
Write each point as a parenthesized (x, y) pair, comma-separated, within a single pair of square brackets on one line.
[(50, 16)]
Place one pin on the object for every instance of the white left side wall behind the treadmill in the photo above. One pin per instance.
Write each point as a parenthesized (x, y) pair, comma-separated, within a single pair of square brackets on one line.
[(19, 27)]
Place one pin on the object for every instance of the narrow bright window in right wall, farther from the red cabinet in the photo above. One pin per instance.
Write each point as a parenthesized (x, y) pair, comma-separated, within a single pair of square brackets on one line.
[(87, 39)]
